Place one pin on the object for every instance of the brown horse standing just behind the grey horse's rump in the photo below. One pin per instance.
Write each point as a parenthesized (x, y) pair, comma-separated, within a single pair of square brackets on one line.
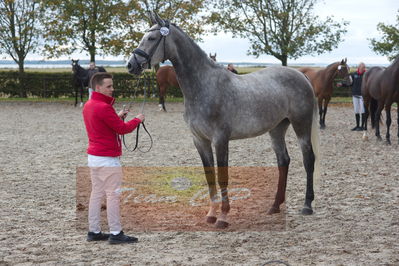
[(322, 81)]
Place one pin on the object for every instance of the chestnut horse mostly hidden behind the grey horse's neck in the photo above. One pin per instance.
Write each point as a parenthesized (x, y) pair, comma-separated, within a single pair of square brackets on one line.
[(166, 78)]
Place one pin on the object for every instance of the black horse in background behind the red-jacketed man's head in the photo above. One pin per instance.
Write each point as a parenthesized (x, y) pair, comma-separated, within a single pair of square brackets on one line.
[(81, 78)]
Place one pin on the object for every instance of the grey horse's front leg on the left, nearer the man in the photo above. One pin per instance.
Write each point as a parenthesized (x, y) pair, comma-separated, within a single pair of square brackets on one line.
[(204, 149)]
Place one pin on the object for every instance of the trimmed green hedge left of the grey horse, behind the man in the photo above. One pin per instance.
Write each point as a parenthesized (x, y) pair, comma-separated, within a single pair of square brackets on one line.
[(54, 85)]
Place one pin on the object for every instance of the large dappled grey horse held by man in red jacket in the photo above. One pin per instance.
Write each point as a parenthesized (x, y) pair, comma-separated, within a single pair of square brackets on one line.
[(221, 106)]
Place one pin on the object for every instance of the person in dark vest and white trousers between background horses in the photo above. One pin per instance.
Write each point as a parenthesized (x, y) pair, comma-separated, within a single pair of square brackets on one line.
[(357, 99)]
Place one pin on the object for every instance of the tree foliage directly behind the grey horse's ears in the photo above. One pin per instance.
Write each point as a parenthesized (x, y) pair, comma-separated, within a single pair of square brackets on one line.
[(184, 13)]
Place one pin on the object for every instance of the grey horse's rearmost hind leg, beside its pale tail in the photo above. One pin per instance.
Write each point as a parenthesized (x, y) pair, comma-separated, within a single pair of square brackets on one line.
[(303, 131)]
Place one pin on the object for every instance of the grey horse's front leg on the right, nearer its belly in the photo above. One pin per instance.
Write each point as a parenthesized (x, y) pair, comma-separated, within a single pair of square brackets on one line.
[(222, 156)]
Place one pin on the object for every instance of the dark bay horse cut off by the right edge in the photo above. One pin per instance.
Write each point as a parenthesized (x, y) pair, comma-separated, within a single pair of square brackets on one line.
[(380, 88)]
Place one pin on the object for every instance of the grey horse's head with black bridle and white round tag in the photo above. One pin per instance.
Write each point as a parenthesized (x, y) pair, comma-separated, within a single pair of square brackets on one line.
[(152, 47)]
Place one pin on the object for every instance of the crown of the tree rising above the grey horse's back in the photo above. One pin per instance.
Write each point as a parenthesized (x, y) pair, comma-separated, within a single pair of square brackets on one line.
[(281, 28)]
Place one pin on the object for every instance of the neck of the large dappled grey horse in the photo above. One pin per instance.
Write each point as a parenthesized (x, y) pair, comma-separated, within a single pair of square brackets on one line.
[(191, 65)]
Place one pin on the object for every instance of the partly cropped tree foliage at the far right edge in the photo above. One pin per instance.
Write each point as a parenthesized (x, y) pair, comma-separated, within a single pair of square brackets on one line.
[(389, 45)]
